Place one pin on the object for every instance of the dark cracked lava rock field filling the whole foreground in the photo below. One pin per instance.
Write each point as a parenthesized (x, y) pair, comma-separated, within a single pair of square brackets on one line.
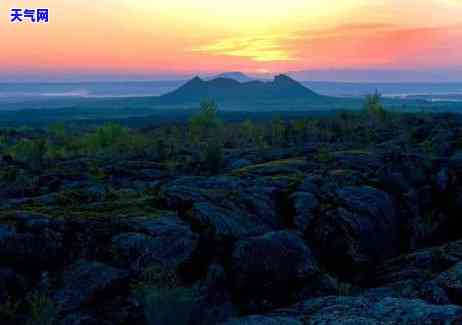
[(322, 231)]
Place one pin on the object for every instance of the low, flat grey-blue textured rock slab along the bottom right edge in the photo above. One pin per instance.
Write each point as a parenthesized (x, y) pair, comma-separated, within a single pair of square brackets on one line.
[(360, 310)]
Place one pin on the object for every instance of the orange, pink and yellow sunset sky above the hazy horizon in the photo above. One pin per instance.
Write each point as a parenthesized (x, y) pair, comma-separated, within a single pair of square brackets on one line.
[(172, 38)]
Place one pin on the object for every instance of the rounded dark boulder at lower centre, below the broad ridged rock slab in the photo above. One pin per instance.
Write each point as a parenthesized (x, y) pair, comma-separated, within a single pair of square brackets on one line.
[(271, 267)]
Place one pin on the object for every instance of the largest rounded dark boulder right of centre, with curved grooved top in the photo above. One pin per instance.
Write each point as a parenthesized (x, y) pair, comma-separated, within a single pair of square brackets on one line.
[(362, 232)]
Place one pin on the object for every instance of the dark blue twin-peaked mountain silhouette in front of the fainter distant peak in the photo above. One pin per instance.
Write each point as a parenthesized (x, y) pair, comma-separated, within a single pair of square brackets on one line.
[(231, 91)]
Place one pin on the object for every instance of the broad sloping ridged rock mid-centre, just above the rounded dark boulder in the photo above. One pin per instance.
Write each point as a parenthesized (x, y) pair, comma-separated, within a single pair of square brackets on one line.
[(227, 206)]
